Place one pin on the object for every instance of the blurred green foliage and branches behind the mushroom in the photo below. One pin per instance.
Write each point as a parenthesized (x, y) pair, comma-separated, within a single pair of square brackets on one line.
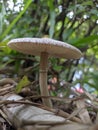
[(71, 21)]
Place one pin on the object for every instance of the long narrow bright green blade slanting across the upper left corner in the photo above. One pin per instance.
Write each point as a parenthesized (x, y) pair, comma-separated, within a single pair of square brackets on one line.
[(16, 19)]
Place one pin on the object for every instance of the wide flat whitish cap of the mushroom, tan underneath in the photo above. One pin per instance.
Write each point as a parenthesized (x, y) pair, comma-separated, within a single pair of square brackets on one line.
[(35, 46)]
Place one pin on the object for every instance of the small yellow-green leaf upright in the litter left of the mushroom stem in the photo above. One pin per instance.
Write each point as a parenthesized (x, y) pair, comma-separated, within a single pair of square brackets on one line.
[(23, 82)]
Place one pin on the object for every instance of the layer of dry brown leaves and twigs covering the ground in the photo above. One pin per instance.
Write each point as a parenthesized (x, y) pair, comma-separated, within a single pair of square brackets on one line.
[(22, 113)]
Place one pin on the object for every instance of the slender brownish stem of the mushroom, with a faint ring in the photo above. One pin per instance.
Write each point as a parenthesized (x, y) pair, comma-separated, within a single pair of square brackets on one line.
[(43, 79)]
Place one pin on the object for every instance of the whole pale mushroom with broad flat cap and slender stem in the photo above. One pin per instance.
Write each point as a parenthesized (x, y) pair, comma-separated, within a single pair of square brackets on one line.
[(45, 47)]
